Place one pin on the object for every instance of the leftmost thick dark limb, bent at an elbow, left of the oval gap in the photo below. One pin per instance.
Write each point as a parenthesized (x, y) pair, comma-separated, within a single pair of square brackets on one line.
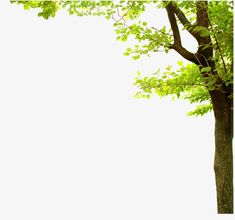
[(176, 35)]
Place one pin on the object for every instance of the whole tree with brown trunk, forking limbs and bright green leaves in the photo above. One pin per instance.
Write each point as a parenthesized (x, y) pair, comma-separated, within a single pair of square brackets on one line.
[(207, 80)]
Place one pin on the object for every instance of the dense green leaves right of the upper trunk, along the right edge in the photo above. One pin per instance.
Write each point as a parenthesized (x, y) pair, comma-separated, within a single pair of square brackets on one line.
[(221, 27)]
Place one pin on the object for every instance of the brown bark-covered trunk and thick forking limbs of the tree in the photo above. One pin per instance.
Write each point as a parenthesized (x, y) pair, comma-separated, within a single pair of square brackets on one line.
[(222, 104)]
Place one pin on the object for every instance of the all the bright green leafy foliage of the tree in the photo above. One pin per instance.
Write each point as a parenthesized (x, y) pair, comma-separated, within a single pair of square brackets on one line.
[(188, 82)]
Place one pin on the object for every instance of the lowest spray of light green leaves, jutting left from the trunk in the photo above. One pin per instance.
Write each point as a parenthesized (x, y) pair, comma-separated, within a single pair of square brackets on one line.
[(186, 83)]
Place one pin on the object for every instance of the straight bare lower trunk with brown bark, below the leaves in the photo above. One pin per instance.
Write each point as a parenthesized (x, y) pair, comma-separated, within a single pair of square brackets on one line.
[(223, 162)]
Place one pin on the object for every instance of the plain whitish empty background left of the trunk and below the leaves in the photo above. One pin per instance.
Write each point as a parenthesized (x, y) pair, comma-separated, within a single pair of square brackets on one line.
[(74, 142)]
